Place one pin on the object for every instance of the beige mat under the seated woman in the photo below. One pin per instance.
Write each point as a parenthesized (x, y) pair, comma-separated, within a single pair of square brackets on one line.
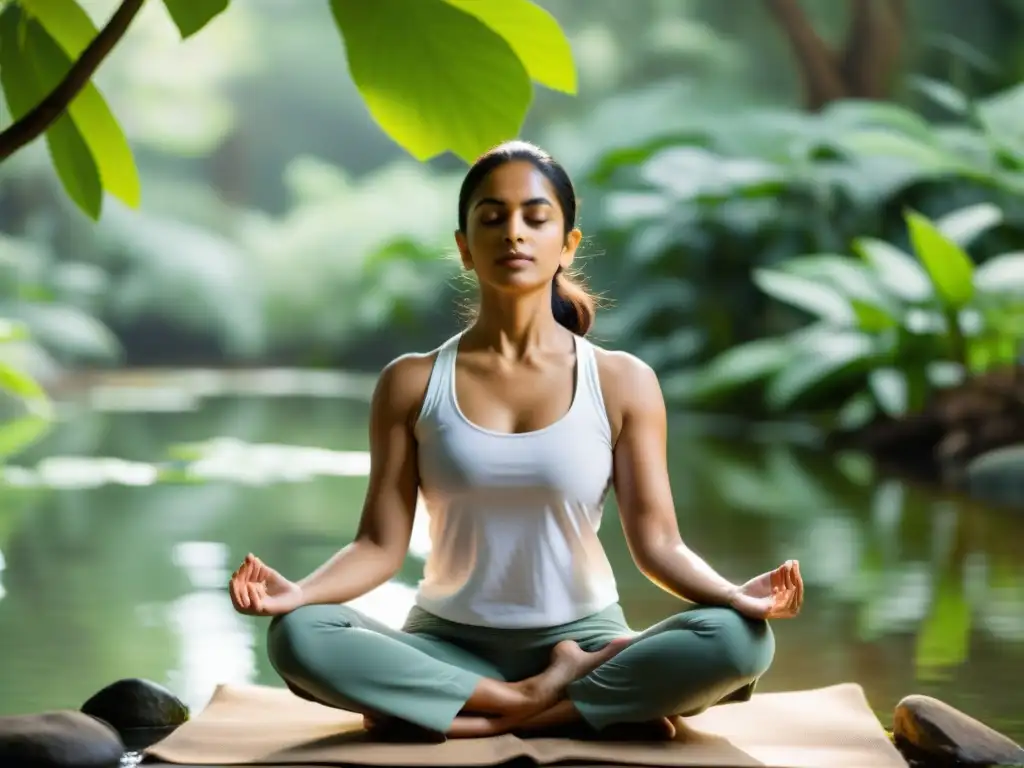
[(831, 728)]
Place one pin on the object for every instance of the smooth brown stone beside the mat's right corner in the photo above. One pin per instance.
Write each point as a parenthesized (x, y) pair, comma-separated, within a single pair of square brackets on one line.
[(931, 733)]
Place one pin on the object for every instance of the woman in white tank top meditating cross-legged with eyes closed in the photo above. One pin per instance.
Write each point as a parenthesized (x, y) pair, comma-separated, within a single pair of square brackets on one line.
[(515, 432)]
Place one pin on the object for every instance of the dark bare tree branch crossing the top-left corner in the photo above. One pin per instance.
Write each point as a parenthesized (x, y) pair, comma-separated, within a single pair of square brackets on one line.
[(44, 115)]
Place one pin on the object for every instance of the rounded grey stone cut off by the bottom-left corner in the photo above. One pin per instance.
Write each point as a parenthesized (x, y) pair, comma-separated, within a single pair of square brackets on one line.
[(59, 740)]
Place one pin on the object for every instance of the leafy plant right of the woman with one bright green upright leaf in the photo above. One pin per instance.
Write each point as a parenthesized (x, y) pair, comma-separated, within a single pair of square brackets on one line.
[(888, 328)]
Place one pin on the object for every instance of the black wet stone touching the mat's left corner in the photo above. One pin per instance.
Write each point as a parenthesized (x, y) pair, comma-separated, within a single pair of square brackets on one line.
[(138, 705)]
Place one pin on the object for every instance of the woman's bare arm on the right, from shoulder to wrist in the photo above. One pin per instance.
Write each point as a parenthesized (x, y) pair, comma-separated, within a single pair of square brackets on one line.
[(642, 482)]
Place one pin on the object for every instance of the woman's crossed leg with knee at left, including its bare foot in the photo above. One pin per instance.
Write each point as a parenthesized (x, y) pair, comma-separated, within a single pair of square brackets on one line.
[(336, 656)]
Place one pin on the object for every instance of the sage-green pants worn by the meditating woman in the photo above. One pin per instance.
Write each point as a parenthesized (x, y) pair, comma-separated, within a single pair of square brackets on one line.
[(428, 671)]
